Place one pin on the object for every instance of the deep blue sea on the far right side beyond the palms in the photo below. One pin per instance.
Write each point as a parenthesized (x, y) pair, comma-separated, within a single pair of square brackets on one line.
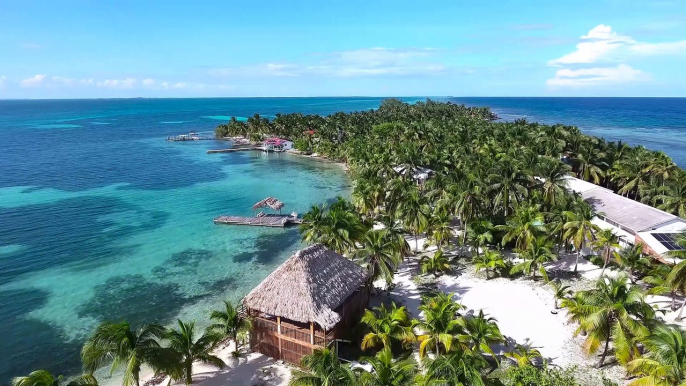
[(656, 123)]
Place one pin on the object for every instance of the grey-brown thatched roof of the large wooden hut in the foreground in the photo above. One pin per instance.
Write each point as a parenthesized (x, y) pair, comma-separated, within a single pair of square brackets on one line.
[(308, 287)]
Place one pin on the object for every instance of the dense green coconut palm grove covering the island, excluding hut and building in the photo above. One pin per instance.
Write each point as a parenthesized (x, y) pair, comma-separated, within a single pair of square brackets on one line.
[(497, 203)]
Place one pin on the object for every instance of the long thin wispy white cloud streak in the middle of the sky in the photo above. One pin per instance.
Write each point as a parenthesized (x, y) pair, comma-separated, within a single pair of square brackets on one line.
[(350, 63)]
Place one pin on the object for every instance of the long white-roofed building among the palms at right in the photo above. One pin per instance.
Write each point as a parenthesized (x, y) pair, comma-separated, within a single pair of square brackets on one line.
[(631, 220)]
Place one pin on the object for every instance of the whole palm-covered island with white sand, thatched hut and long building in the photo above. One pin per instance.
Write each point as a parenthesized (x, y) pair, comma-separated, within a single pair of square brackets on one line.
[(462, 235)]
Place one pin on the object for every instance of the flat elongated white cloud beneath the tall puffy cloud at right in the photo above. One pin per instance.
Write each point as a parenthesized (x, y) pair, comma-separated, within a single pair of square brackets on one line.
[(596, 76)]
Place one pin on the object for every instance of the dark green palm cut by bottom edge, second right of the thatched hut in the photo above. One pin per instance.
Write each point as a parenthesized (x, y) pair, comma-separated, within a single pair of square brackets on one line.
[(455, 368)]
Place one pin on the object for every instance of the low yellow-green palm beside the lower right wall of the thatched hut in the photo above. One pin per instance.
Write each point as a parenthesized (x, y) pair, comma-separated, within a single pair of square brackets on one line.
[(387, 325)]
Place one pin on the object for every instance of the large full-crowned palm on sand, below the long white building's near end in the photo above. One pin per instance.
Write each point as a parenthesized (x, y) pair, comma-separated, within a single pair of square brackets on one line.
[(615, 311)]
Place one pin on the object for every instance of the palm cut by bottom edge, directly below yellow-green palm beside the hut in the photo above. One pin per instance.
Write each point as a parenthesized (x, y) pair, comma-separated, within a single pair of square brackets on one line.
[(386, 371)]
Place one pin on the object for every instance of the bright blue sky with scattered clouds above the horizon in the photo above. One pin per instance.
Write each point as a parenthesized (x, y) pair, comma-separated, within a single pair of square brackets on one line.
[(93, 49)]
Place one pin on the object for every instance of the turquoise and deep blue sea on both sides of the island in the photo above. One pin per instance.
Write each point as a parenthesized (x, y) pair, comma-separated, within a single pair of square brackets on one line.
[(102, 219)]
